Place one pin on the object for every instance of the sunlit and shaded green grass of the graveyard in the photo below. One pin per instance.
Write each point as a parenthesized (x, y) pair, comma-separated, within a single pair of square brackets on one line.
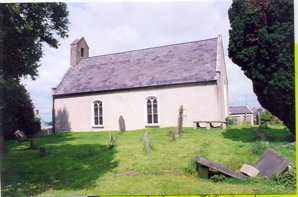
[(83, 164)]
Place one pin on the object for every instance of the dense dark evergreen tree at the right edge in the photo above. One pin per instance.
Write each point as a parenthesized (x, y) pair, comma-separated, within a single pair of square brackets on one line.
[(262, 44)]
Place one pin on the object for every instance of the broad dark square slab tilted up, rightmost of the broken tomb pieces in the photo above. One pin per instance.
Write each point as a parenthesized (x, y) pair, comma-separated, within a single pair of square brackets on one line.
[(272, 163)]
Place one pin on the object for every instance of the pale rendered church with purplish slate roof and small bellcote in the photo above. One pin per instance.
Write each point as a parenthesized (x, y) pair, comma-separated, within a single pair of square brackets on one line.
[(145, 87)]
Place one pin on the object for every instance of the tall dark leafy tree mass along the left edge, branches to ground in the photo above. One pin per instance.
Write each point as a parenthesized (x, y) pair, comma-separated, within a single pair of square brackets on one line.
[(25, 27)]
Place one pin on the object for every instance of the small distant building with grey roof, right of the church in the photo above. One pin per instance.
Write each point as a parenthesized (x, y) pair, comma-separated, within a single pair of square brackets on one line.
[(242, 114)]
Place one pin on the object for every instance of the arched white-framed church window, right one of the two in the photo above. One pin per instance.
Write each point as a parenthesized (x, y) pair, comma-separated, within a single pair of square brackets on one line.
[(152, 110)]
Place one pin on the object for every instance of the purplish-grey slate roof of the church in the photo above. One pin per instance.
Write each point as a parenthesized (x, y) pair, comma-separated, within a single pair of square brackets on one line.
[(184, 63)]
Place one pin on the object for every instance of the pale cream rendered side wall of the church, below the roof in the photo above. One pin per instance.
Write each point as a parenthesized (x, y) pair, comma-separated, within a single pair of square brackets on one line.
[(200, 103)]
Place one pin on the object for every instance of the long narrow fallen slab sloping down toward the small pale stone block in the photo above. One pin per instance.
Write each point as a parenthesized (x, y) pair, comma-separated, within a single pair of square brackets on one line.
[(221, 169)]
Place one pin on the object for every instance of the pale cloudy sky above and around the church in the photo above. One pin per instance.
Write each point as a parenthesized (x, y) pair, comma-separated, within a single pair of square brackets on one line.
[(117, 26)]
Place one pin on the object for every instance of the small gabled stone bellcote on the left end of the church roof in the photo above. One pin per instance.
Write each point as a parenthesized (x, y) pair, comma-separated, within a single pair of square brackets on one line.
[(78, 50)]
